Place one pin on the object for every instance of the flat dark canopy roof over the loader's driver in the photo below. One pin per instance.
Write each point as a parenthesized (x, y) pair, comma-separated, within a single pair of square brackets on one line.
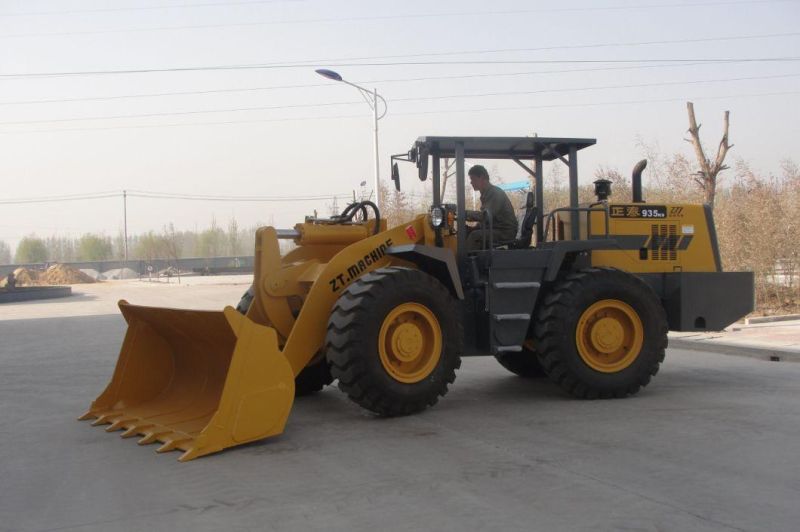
[(548, 148)]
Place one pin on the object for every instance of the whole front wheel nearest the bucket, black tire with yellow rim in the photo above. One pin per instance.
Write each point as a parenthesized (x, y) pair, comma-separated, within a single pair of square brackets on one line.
[(394, 341)]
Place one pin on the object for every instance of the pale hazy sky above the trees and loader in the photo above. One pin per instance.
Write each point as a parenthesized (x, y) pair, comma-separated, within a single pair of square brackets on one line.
[(506, 67)]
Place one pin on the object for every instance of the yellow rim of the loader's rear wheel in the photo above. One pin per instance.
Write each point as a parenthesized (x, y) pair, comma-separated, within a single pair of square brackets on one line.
[(609, 335)]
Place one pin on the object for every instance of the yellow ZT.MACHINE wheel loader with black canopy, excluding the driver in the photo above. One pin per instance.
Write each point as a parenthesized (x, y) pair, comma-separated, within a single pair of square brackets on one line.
[(584, 295)]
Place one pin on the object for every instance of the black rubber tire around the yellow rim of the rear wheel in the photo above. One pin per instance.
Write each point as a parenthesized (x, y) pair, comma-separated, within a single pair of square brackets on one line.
[(557, 322)]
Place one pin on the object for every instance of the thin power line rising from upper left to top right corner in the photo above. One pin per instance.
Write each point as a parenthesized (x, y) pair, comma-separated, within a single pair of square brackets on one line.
[(406, 16)]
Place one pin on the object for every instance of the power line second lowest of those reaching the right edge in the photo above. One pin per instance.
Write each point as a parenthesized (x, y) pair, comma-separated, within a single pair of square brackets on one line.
[(409, 99)]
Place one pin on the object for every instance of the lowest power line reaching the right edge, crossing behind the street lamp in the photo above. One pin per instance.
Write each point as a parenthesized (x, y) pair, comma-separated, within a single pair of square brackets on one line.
[(444, 111)]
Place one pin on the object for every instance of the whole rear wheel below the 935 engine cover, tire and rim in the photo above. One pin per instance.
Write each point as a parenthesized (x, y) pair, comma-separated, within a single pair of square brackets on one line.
[(601, 333)]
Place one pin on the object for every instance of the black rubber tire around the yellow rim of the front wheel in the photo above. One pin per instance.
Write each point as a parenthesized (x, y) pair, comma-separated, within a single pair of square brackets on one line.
[(353, 332)]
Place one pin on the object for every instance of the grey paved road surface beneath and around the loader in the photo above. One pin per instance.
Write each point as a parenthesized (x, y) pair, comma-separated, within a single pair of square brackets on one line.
[(712, 444)]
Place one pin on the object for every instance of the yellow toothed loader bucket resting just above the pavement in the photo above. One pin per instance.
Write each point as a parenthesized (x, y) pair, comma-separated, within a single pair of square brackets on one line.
[(197, 381)]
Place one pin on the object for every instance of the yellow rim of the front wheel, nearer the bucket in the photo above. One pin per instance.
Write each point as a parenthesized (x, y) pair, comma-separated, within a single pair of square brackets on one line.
[(410, 342)]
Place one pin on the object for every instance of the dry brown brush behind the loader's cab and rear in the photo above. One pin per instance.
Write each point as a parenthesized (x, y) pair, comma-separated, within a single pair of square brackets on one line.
[(756, 217)]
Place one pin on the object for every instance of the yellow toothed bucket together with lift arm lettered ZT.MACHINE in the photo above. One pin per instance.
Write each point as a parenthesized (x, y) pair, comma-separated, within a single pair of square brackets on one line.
[(201, 381)]
